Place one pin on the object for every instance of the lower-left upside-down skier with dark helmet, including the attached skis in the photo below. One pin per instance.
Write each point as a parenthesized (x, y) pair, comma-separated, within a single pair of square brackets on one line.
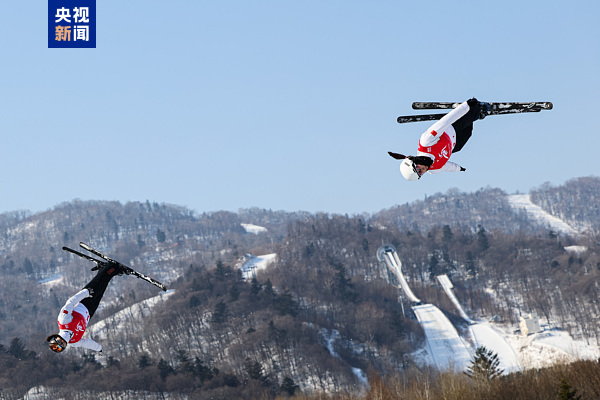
[(77, 311)]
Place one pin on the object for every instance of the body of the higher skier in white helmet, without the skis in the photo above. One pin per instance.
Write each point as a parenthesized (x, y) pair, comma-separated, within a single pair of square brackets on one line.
[(441, 140)]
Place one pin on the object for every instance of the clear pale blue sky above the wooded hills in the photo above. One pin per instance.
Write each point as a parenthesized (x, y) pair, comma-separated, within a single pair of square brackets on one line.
[(290, 105)]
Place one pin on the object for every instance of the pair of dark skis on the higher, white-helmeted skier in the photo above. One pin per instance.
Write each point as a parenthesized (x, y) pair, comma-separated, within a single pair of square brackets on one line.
[(495, 109)]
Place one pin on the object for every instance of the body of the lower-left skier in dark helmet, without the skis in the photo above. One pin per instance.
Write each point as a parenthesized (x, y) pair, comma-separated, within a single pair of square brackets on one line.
[(77, 311)]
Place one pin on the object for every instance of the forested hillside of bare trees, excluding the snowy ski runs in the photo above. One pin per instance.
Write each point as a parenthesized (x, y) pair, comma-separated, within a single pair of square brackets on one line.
[(318, 319)]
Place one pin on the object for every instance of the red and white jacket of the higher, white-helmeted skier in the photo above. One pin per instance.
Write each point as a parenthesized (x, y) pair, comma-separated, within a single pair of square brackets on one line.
[(439, 140)]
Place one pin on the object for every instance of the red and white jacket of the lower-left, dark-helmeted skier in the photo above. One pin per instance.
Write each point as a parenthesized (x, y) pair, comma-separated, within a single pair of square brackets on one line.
[(72, 322)]
